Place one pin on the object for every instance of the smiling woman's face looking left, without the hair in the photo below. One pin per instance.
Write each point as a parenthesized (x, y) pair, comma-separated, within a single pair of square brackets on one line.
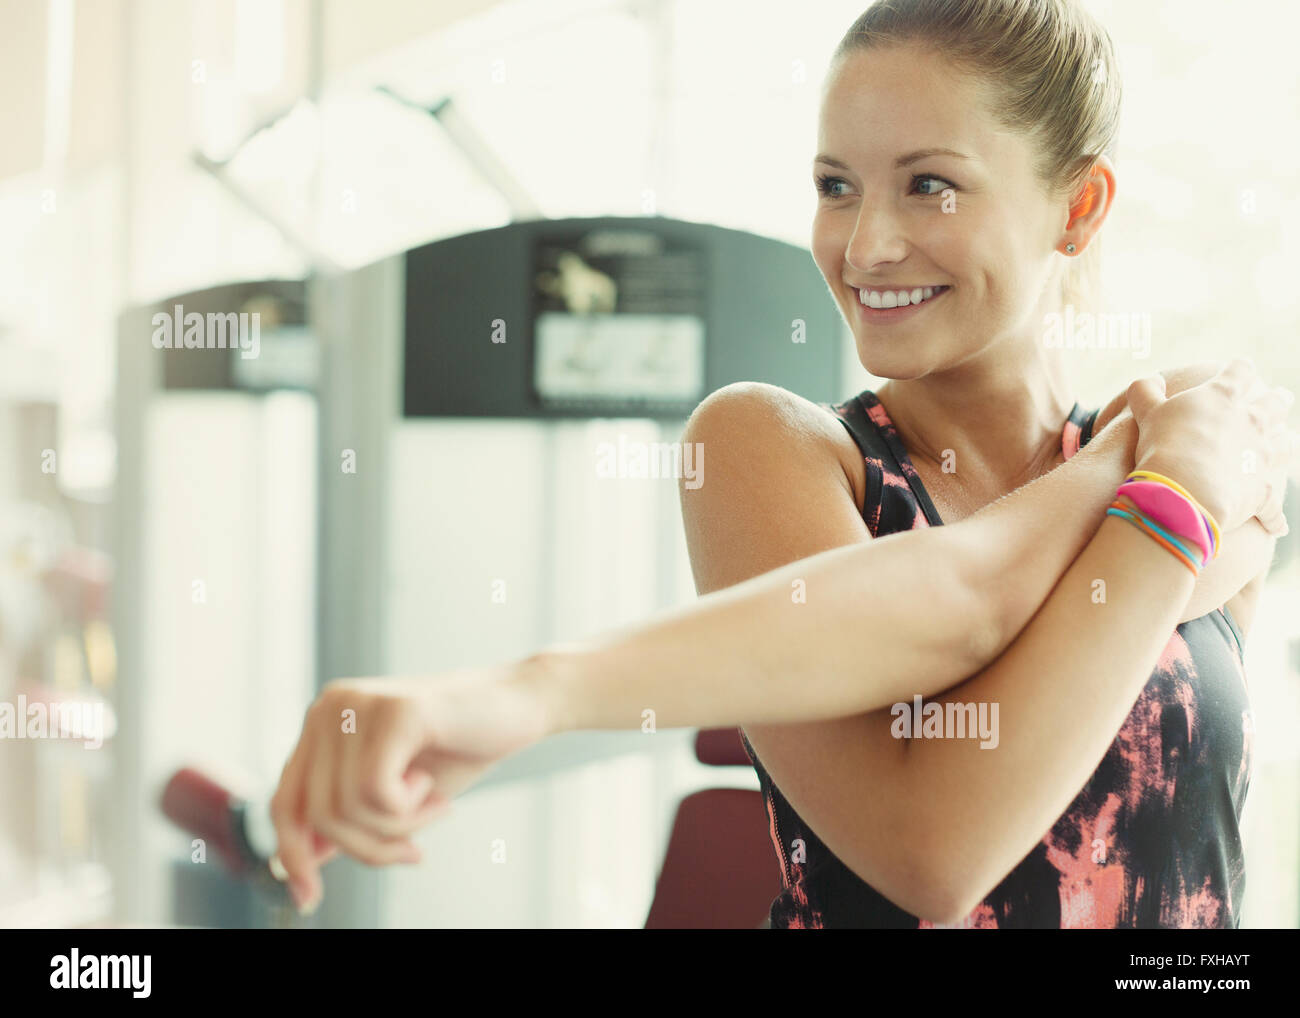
[(896, 215)]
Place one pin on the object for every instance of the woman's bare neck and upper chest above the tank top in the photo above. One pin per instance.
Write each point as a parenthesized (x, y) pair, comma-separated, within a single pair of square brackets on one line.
[(1000, 417)]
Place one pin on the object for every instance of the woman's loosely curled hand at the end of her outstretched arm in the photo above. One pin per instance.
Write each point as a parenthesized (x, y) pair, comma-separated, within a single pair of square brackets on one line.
[(380, 759)]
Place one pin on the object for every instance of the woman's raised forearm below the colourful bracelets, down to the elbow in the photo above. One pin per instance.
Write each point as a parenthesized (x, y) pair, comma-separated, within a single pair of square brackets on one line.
[(1063, 691)]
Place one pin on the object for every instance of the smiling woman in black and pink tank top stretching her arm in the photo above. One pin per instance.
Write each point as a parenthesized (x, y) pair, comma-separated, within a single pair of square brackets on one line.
[(844, 597)]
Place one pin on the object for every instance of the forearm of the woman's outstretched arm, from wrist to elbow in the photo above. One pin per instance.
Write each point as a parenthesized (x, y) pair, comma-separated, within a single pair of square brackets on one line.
[(835, 634)]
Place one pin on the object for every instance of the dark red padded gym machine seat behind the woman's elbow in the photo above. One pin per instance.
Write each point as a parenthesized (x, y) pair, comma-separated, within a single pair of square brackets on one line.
[(721, 872)]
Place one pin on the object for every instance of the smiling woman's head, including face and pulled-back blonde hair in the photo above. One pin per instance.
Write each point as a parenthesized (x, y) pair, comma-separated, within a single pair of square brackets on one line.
[(1009, 214)]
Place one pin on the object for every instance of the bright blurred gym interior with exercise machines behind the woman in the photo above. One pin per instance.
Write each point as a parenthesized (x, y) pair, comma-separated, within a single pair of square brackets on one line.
[(194, 538)]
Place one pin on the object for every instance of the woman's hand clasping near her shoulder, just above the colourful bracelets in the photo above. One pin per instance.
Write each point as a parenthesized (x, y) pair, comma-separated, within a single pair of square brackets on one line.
[(1227, 441)]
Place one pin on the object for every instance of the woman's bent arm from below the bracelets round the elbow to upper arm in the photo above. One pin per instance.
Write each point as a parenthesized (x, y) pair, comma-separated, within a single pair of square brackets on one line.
[(942, 822)]
